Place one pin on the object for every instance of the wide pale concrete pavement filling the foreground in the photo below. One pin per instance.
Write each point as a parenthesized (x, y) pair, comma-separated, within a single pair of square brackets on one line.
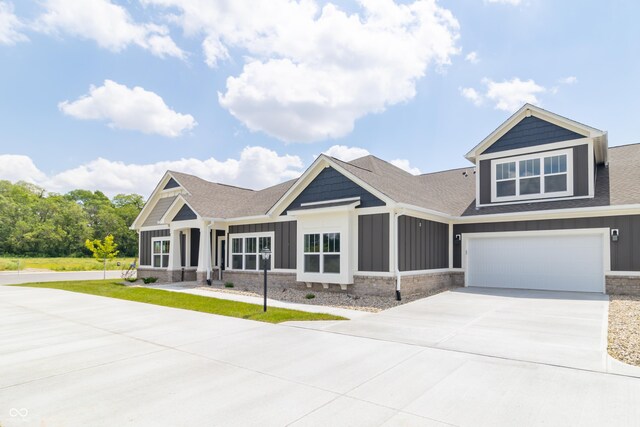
[(71, 359)]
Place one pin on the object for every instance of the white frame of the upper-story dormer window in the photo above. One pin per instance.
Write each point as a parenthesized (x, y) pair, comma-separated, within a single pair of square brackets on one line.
[(542, 195)]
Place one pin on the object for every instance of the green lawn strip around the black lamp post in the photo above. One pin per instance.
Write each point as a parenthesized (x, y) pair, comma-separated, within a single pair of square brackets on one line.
[(114, 289)]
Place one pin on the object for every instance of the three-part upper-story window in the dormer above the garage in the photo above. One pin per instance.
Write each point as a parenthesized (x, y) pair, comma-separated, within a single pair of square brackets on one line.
[(532, 176)]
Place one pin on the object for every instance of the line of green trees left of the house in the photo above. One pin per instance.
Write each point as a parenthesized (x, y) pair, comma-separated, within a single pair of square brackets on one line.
[(36, 223)]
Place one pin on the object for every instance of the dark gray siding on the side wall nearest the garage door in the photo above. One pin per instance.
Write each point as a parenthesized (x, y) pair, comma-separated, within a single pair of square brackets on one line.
[(422, 244)]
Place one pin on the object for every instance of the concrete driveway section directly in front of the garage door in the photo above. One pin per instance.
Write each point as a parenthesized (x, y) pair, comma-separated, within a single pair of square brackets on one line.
[(557, 328)]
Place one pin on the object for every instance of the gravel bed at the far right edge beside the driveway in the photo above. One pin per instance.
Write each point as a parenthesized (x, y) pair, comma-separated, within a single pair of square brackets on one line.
[(624, 328)]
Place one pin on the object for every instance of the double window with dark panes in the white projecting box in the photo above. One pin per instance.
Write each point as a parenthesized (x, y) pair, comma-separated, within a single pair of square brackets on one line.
[(322, 253)]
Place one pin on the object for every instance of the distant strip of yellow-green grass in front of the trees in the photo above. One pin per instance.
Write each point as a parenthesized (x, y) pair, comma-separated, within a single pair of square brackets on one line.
[(62, 264)]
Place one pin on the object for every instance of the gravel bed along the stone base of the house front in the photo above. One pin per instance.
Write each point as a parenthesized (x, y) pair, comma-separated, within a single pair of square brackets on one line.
[(371, 304)]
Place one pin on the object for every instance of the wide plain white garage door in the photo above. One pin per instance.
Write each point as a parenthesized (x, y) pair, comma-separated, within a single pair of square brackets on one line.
[(572, 262)]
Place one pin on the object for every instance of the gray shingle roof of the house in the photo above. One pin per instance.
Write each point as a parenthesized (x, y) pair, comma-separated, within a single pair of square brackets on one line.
[(450, 192)]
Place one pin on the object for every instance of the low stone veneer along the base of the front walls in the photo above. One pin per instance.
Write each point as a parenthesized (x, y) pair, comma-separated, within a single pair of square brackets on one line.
[(421, 284)]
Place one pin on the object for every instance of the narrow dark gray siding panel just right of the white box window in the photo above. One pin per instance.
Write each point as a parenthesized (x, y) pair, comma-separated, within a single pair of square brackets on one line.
[(373, 242)]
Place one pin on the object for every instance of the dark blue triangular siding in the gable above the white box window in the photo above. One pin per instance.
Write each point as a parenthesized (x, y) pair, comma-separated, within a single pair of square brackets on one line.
[(331, 185)]
